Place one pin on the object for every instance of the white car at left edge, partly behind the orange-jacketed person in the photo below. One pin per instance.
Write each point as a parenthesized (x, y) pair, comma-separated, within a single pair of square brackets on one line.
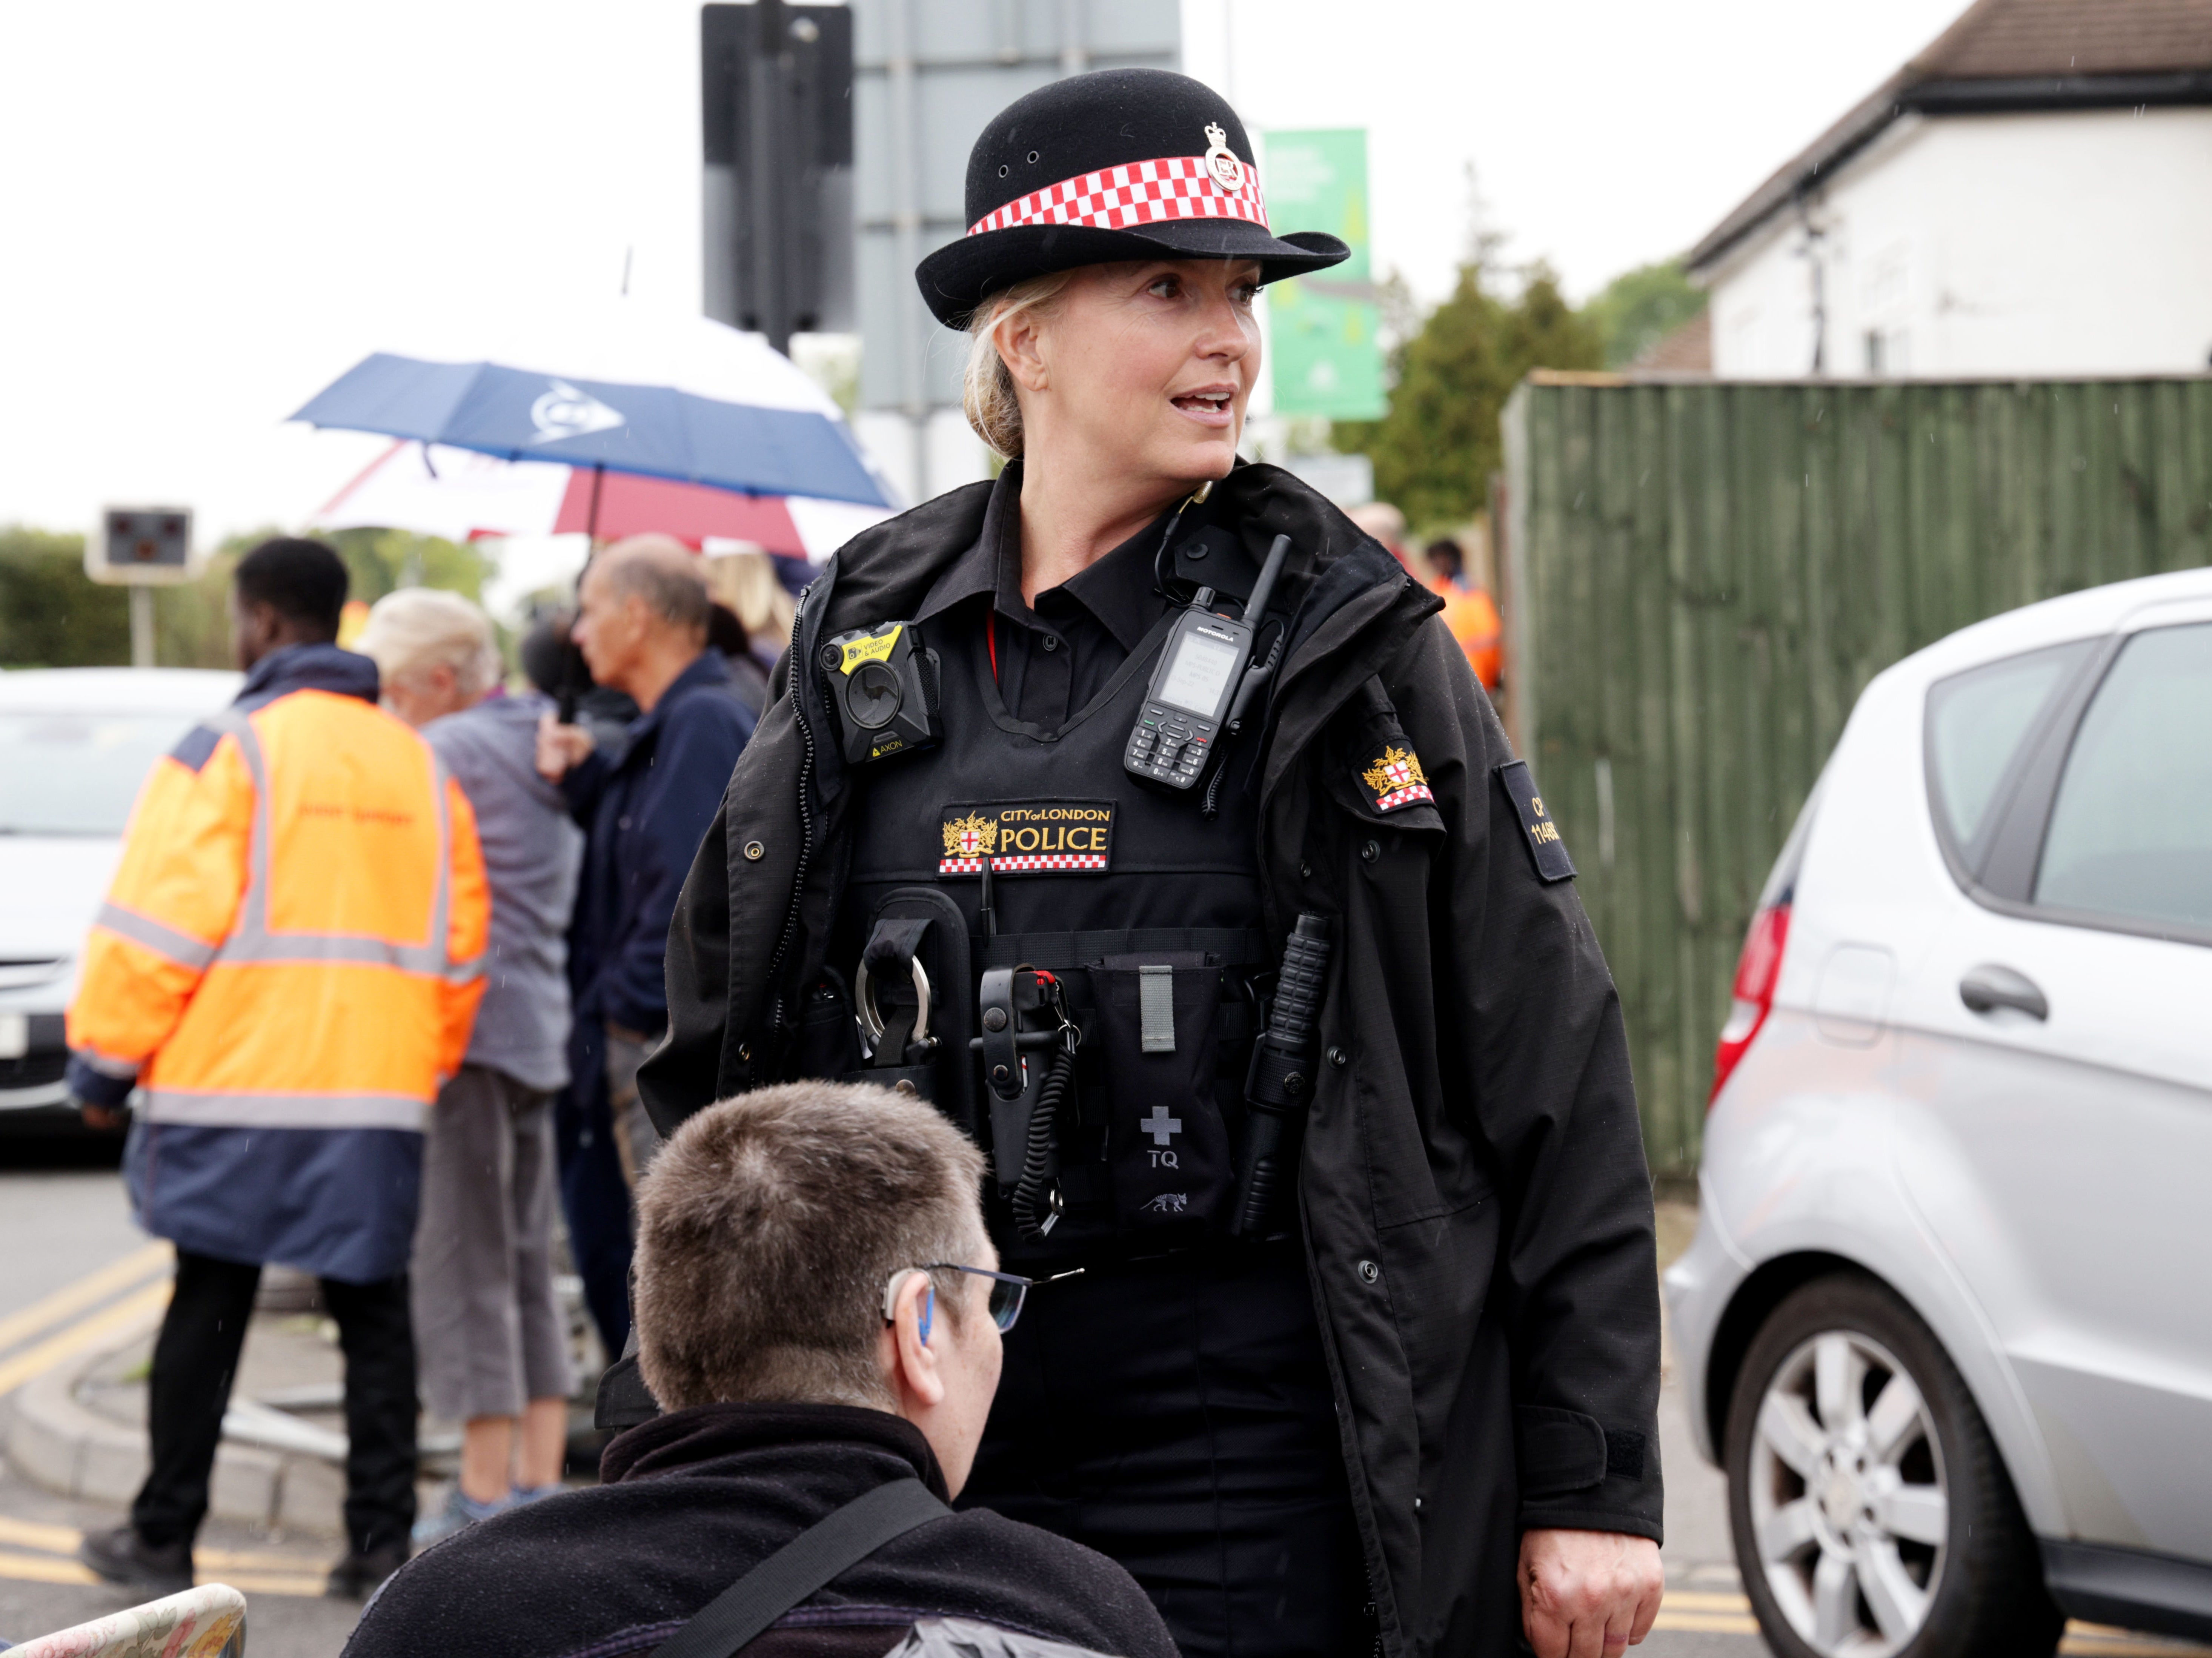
[(74, 748)]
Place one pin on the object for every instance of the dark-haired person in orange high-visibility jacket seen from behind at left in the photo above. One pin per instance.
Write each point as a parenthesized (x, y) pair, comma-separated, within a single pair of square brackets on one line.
[(286, 969)]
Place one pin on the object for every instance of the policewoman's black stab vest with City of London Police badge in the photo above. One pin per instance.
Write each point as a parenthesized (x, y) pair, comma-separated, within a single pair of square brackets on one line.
[(1145, 907)]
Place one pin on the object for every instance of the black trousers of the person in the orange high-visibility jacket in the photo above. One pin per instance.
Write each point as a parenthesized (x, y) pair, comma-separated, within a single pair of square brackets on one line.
[(196, 1361)]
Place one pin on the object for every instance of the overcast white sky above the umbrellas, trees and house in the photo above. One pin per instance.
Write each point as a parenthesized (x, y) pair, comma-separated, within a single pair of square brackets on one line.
[(211, 211)]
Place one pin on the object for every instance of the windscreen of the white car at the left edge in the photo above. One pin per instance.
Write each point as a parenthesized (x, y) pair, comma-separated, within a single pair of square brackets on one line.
[(76, 775)]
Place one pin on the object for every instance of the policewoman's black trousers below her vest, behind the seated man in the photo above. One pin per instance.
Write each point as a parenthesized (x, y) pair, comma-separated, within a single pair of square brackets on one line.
[(1178, 1418)]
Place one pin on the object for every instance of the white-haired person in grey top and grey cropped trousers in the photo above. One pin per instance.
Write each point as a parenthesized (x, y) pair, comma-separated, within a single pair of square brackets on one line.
[(490, 1334)]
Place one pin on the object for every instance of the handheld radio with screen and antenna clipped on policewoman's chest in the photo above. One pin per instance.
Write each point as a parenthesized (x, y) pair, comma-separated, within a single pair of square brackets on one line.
[(1202, 684)]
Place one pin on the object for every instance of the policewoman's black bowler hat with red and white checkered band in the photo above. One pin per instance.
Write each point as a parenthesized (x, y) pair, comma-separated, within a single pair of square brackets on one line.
[(1105, 167)]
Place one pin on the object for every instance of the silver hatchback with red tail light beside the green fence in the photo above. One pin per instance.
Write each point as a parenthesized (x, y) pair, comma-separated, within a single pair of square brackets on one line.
[(1948, 1321)]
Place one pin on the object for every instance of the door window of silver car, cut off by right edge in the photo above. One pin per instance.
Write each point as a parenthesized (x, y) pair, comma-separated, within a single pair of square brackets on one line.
[(2131, 830)]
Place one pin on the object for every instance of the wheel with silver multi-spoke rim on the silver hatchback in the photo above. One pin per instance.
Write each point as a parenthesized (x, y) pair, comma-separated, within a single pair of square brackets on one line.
[(1868, 1502)]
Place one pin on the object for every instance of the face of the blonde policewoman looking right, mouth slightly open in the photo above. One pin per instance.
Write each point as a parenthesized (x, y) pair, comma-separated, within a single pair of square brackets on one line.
[(1145, 368)]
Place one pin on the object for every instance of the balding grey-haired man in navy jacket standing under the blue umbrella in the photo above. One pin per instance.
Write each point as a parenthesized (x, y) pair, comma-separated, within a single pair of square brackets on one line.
[(645, 808)]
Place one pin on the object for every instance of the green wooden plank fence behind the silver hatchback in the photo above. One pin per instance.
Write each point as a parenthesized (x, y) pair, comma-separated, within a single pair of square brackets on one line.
[(1704, 576)]
